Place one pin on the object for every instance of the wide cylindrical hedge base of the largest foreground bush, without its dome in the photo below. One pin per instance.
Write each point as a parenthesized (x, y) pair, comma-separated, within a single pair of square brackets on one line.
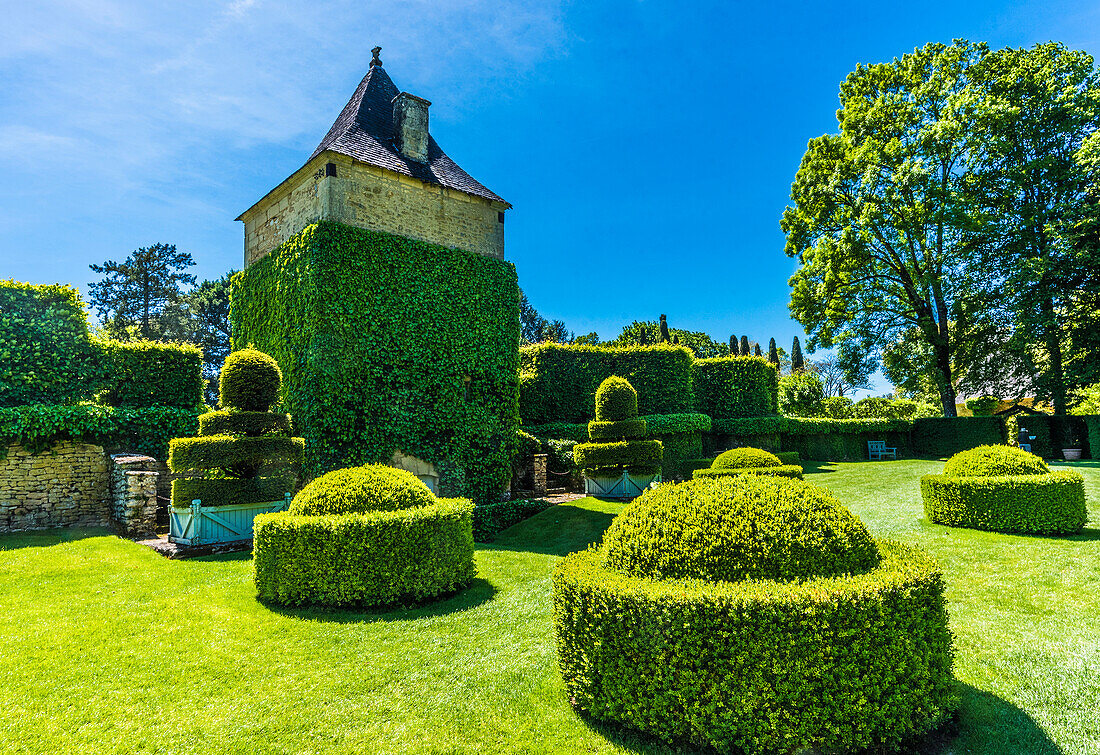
[(842, 663)]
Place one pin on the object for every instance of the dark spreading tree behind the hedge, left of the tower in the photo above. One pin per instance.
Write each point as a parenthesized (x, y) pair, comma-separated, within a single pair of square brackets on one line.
[(137, 292)]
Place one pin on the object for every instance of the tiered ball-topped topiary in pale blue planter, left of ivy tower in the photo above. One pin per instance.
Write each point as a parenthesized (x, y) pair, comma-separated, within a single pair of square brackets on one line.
[(244, 455)]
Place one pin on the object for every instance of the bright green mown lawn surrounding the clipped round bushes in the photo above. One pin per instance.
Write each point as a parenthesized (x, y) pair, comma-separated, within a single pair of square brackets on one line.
[(106, 647)]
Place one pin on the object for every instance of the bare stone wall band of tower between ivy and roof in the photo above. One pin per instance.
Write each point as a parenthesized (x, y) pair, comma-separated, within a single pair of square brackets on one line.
[(376, 199)]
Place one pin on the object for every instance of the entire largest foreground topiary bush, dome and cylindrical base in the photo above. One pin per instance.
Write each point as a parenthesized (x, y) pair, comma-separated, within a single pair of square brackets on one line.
[(755, 616)]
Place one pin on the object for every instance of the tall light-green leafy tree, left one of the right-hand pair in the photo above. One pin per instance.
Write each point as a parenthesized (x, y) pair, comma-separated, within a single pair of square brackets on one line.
[(881, 224)]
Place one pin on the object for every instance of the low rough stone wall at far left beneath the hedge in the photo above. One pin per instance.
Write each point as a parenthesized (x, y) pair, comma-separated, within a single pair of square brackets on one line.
[(62, 488)]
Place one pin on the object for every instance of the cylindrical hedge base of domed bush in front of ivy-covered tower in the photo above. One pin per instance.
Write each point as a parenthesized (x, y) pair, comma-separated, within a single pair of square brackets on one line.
[(376, 559)]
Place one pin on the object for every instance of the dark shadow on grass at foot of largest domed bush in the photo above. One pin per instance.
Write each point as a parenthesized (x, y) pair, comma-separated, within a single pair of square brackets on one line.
[(985, 725)]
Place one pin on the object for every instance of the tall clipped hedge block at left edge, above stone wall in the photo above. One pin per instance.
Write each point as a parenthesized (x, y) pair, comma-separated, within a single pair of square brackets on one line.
[(47, 353)]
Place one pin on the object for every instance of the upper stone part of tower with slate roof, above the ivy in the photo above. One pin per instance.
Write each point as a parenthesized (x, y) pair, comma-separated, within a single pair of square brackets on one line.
[(379, 168)]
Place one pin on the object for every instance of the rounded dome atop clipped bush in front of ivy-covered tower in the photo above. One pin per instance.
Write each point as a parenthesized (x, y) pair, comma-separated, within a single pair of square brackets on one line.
[(359, 490)]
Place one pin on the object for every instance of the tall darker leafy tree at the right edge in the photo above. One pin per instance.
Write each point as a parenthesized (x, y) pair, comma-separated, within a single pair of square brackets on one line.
[(1035, 111)]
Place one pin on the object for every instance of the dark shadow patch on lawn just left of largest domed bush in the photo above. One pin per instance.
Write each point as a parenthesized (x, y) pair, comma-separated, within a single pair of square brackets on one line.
[(560, 530)]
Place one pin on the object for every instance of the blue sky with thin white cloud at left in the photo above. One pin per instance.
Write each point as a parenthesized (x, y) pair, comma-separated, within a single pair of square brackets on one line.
[(648, 148)]
